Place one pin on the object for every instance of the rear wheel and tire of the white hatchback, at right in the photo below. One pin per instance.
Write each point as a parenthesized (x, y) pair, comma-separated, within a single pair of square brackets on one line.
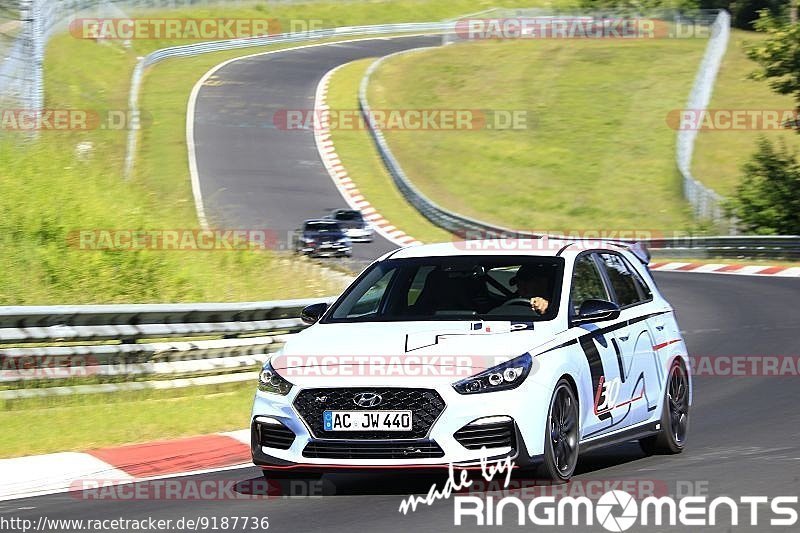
[(671, 439)]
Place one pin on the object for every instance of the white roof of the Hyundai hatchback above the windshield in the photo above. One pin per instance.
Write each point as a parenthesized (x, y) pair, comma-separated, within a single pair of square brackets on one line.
[(547, 247)]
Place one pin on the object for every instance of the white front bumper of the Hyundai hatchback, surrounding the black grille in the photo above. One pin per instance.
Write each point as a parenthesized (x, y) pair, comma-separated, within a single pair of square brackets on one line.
[(307, 448)]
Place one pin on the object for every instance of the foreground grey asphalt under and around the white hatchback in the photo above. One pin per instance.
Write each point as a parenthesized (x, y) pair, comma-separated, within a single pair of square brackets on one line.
[(743, 437)]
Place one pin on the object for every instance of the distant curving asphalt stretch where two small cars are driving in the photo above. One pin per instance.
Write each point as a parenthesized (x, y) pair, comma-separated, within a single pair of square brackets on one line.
[(256, 175)]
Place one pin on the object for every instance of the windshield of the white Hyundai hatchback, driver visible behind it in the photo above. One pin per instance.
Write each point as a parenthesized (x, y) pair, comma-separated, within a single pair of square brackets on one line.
[(454, 288)]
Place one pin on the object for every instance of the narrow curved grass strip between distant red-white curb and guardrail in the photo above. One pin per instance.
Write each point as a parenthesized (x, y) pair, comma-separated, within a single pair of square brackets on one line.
[(356, 150)]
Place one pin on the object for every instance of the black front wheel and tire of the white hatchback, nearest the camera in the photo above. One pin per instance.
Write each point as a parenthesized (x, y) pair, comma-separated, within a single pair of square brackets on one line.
[(561, 435)]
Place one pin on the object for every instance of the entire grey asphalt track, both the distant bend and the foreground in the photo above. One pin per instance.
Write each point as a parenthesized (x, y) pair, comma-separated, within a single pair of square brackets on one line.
[(744, 437)]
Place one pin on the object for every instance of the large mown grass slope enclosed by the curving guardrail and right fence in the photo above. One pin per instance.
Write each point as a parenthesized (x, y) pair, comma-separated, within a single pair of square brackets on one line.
[(597, 152)]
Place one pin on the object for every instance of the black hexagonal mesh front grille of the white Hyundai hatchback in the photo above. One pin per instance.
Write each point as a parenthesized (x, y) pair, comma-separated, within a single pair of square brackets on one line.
[(426, 405)]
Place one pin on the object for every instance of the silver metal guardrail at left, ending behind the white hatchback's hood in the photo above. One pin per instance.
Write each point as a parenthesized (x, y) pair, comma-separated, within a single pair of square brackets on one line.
[(47, 346)]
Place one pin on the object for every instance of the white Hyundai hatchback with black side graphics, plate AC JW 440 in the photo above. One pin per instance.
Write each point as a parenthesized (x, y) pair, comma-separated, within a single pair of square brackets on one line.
[(451, 353)]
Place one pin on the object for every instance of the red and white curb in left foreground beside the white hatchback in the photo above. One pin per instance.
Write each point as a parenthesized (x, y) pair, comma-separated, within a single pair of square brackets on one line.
[(38, 475)]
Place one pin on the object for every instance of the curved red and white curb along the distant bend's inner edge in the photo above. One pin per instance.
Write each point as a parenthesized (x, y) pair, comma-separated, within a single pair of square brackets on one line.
[(347, 188)]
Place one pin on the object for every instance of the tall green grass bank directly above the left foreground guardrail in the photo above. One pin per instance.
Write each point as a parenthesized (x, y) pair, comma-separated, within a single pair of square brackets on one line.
[(45, 194)]
